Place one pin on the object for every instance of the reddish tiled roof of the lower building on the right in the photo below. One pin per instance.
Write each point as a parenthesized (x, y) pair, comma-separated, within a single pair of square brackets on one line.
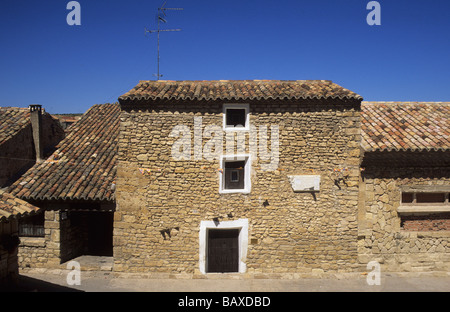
[(414, 126)]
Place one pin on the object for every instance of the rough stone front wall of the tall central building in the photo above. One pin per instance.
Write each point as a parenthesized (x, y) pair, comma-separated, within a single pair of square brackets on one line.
[(288, 232)]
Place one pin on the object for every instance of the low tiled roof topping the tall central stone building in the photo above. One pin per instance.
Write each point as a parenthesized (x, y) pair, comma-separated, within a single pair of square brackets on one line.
[(238, 90)]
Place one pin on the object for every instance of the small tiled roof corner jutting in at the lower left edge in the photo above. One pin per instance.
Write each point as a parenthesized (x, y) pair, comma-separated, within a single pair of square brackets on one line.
[(13, 207)]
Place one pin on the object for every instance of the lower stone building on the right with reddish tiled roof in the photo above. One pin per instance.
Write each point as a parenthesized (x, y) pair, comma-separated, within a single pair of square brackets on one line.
[(404, 212)]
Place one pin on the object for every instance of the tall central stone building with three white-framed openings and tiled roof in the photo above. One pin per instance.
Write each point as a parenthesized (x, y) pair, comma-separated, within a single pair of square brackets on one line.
[(237, 176)]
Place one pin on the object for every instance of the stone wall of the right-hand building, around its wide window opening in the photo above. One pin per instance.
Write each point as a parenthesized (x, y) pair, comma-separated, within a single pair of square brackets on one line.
[(381, 237)]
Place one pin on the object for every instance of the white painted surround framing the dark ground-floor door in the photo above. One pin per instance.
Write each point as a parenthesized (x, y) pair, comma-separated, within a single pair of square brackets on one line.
[(241, 224)]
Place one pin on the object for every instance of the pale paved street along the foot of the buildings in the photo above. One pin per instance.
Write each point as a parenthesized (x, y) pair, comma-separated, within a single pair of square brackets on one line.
[(101, 281)]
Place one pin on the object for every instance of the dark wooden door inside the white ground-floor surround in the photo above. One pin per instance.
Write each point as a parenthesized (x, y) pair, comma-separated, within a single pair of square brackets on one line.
[(223, 250)]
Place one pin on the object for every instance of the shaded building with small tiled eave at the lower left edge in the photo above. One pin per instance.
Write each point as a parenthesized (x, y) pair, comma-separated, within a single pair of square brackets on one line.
[(12, 210)]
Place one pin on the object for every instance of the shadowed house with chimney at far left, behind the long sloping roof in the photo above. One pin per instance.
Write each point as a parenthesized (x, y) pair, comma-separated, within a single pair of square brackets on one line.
[(27, 135)]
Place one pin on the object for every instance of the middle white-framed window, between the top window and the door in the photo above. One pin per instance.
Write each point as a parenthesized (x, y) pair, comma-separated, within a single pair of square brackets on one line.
[(235, 174)]
